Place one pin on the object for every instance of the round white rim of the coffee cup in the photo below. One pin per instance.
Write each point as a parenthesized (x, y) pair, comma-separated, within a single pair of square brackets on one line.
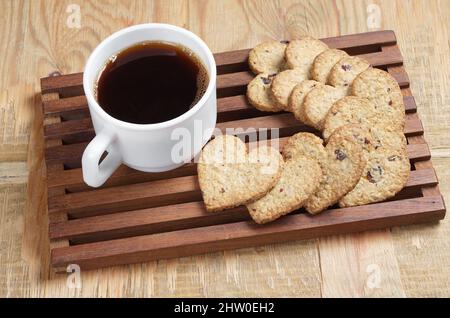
[(92, 102)]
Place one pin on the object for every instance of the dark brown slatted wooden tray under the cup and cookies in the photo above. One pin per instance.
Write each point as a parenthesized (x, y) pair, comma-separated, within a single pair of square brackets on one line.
[(138, 216)]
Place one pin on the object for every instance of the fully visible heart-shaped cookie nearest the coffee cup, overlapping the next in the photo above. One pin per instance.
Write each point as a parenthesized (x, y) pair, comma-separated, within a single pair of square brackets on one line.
[(230, 176)]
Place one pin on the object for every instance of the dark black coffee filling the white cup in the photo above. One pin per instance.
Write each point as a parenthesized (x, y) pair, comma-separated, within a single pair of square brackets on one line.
[(151, 82)]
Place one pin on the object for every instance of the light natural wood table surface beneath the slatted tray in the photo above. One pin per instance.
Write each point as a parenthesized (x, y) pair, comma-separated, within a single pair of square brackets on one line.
[(41, 37)]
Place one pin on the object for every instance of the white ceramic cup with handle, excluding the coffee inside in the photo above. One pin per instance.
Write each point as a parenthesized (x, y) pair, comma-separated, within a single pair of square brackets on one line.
[(145, 147)]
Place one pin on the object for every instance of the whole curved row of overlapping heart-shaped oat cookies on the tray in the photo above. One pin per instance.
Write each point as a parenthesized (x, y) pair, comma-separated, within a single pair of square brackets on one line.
[(357, 109)]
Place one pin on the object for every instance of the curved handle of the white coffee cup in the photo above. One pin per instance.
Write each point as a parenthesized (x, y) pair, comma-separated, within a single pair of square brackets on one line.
[(95, 174)]
